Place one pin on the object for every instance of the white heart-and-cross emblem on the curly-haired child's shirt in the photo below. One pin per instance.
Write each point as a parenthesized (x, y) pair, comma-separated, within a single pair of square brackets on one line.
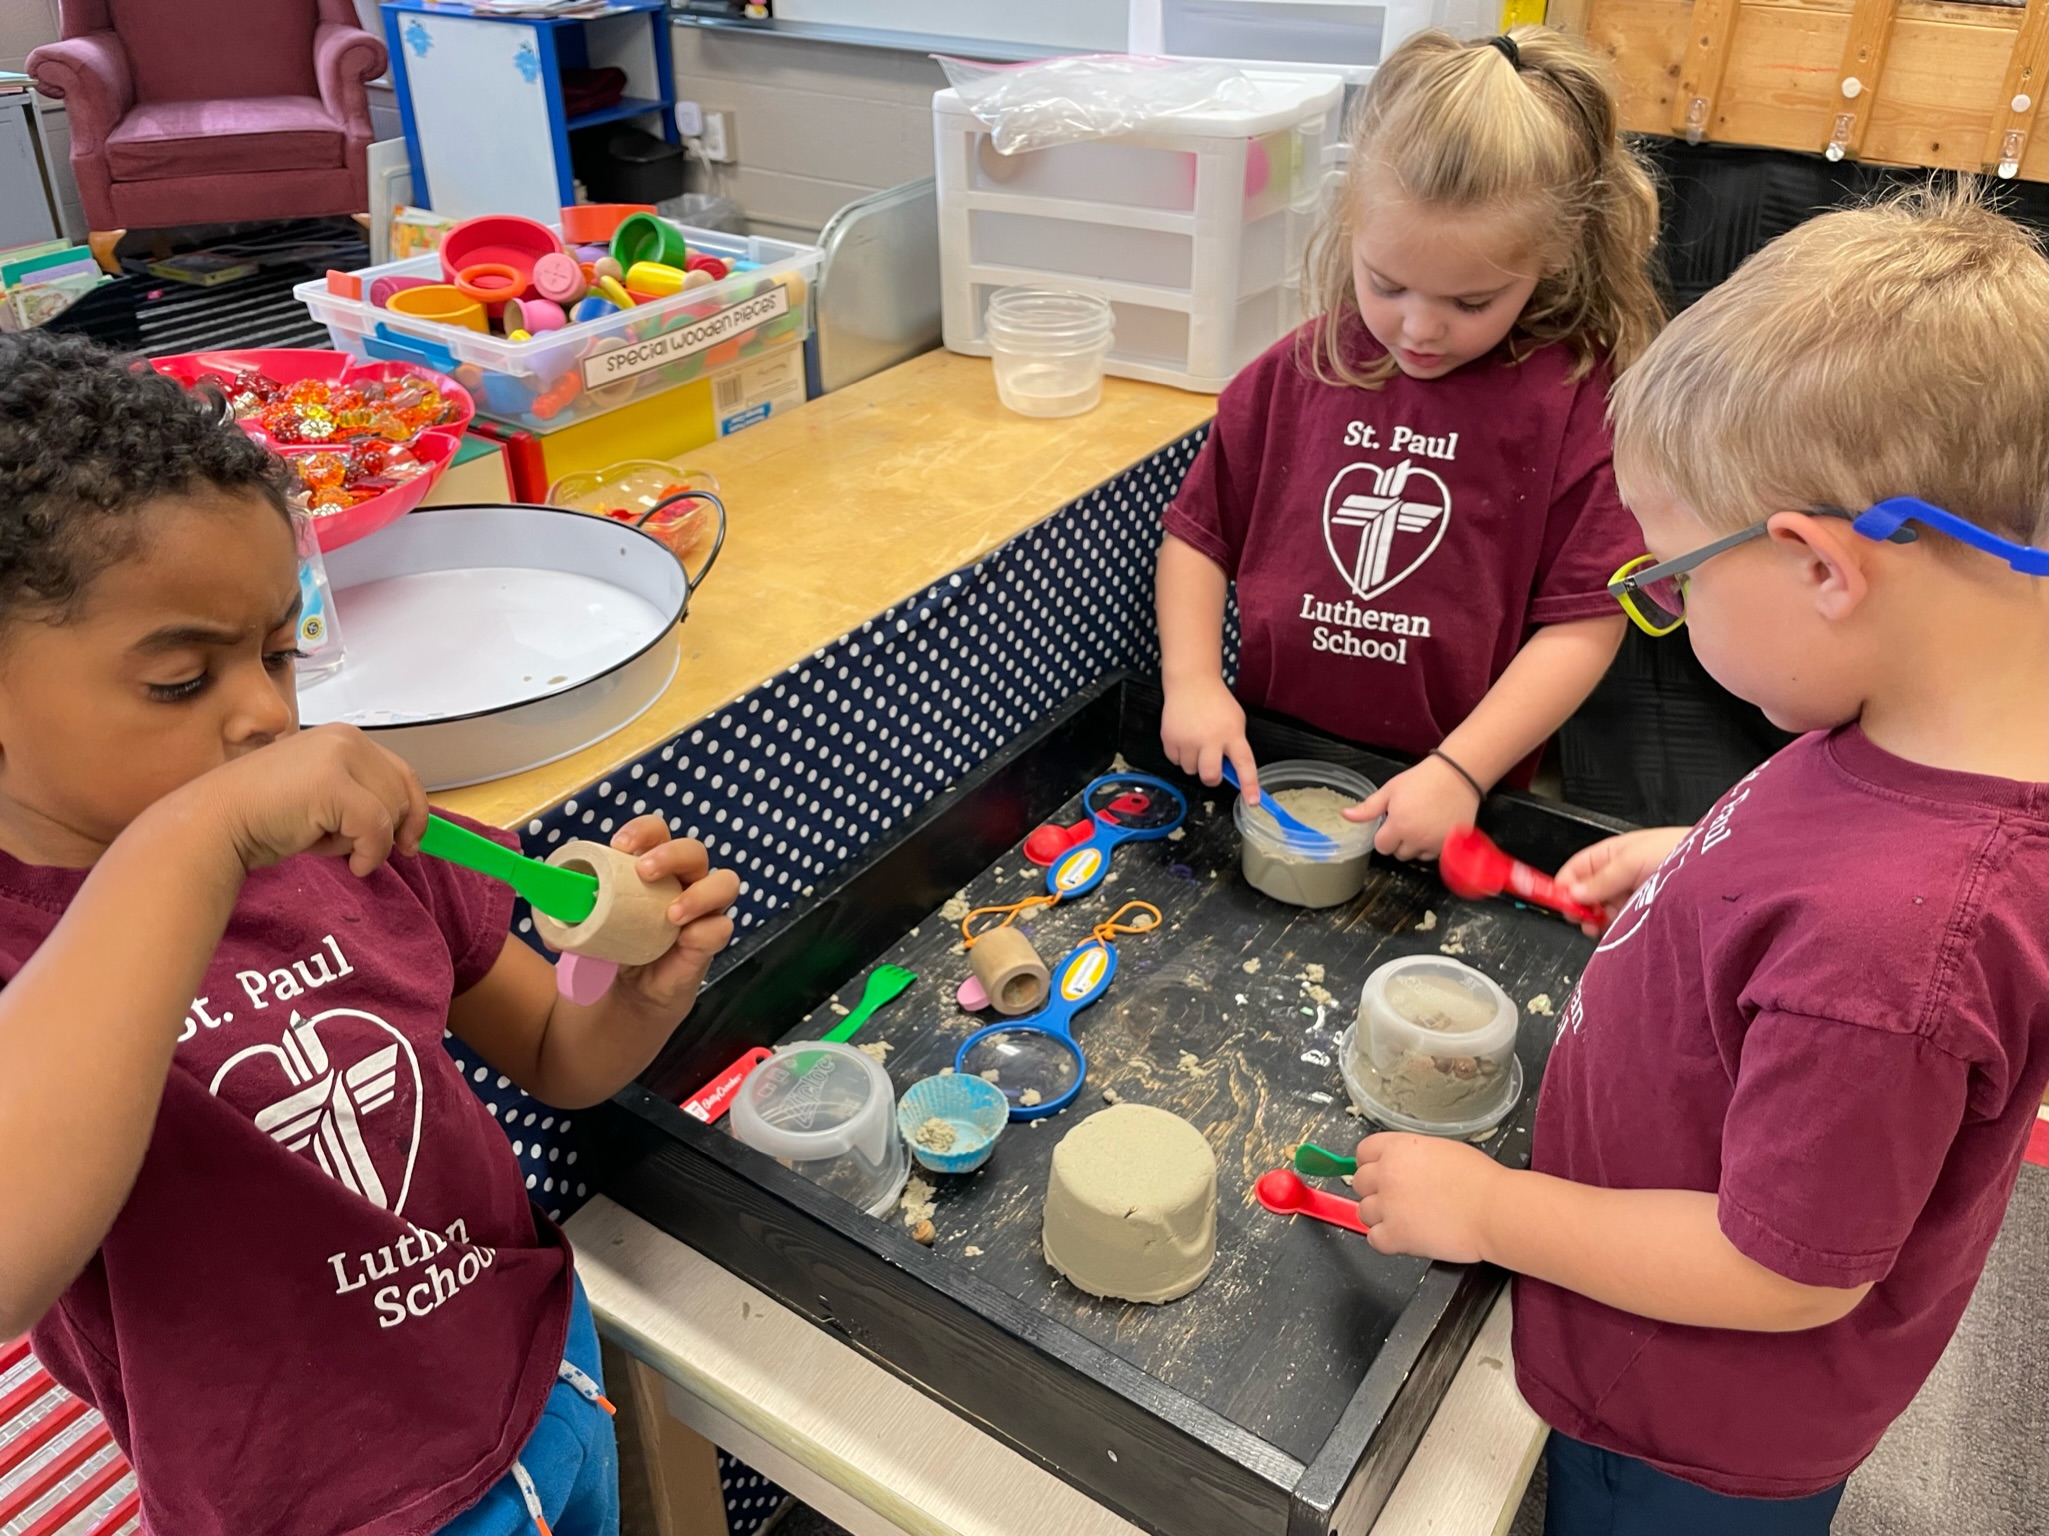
[(341, 1089)]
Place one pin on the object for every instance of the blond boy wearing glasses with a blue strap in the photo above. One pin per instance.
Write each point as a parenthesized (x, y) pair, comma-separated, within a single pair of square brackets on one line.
[(1792, 1093)]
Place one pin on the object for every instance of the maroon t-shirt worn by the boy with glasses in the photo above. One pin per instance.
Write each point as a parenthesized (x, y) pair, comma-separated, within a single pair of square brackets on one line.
[(1831, 1009)]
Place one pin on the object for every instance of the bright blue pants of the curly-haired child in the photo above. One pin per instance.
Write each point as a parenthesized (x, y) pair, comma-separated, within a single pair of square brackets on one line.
[(573, 1459)]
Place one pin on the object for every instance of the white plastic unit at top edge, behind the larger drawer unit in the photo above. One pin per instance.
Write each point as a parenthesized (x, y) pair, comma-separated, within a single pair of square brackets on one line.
[(1345, 36)]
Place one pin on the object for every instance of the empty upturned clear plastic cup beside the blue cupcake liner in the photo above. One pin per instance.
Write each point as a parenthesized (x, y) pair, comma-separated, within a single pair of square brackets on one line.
[(817, 1101)]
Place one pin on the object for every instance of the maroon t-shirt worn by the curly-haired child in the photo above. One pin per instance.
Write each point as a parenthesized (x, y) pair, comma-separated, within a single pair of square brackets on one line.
[(327, 1306)]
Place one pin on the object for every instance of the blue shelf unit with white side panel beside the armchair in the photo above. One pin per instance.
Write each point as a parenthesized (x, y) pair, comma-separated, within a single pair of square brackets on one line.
[(480, 97)]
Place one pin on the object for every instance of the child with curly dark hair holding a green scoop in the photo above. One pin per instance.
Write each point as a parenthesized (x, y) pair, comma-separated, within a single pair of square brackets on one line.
[(257, 1215)]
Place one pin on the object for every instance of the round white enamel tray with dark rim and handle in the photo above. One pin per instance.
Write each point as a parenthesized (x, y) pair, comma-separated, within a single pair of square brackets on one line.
[(489, 640)]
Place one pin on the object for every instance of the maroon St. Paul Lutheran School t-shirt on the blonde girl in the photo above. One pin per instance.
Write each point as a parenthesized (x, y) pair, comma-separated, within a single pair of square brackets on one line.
[(1394, 548)]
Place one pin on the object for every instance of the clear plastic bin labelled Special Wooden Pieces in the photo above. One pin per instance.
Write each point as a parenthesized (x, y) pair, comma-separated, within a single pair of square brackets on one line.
[(583, 372)]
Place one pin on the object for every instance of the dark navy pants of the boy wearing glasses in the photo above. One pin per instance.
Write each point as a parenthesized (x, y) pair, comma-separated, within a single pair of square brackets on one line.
[(1601, 1494)]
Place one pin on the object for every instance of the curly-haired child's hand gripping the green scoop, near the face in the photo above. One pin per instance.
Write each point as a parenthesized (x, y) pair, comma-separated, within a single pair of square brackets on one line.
[(325, 792)]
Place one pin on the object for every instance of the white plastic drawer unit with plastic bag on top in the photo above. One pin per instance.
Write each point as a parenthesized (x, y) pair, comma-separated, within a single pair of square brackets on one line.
[(1194, 234)]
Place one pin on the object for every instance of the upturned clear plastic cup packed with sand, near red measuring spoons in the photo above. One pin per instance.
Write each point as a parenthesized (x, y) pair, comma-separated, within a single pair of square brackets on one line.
[(1433, 1050)]
